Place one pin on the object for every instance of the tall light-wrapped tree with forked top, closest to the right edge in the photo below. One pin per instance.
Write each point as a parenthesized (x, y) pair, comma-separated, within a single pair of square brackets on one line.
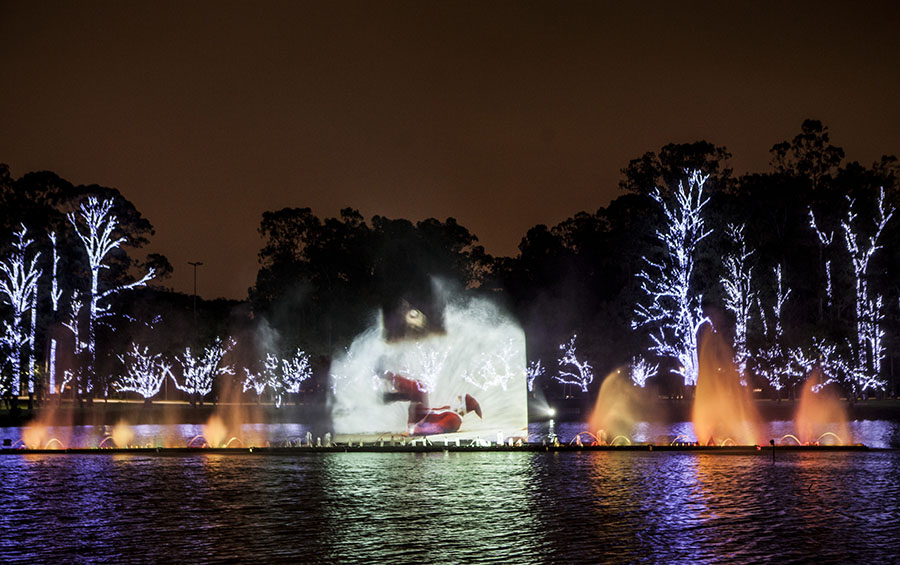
[(869, 347)]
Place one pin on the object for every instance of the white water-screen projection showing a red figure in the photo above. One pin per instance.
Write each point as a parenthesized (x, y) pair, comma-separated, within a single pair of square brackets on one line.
[(459, 369)]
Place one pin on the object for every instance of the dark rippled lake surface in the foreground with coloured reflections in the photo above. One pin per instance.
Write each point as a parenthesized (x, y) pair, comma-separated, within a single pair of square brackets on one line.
[(451, 508)]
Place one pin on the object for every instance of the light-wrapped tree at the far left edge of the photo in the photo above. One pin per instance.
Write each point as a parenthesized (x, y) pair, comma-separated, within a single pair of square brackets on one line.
[(19, 276)]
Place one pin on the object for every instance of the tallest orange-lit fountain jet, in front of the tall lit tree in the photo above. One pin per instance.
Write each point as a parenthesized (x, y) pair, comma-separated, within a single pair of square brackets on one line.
[(722, 407)]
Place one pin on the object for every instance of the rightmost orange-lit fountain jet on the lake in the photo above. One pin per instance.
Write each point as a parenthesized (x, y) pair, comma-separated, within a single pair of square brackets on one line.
[(821, 414)]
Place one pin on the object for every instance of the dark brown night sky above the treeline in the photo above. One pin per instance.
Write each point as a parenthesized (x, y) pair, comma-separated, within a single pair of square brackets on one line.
[(503, 115)]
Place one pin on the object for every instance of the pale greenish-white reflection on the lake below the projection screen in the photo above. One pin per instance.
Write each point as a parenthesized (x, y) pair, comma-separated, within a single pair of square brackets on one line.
[(429, 508)]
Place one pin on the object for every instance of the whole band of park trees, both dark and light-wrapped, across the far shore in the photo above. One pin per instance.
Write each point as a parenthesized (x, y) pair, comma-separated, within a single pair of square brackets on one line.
[(797, 267)]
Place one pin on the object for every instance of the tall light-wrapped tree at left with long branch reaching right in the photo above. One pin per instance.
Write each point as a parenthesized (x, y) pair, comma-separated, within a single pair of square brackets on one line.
[(98, 238)]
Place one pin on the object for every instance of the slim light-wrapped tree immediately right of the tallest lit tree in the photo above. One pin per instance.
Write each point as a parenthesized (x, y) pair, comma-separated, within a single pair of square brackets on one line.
[(739, 295)]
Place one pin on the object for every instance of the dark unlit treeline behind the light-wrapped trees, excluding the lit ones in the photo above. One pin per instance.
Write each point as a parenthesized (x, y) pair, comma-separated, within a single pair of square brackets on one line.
[(322, 281)]
